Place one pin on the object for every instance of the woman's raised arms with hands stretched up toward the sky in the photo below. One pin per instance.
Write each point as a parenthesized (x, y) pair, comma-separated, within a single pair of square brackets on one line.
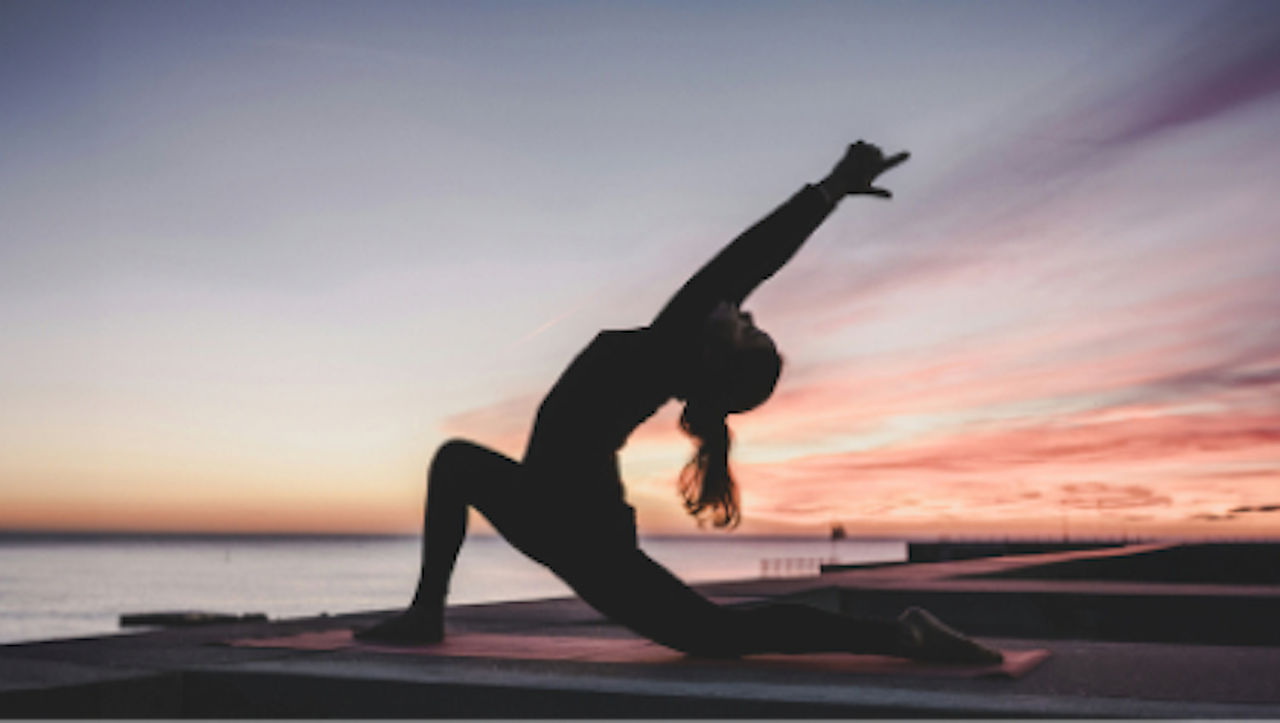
[(767, 246)]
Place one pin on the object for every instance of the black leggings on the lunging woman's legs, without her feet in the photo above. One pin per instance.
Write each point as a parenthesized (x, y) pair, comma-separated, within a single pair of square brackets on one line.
[(619, 580)]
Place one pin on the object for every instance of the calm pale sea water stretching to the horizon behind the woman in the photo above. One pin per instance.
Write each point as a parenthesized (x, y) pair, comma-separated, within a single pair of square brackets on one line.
[(79, 587)]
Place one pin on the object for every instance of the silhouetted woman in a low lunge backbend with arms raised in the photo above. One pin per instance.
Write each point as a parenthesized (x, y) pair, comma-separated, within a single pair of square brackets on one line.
[(564, 504)]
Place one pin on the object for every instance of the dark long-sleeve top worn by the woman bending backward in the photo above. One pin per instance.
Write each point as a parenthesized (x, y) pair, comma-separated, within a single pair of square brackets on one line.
[(624, 377)]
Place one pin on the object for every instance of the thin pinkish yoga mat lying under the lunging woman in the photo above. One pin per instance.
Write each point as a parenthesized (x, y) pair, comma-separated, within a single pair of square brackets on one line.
[(634, 651)]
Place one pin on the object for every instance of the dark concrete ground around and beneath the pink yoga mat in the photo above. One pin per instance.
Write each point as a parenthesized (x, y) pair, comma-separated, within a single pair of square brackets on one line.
[(1169, 632)]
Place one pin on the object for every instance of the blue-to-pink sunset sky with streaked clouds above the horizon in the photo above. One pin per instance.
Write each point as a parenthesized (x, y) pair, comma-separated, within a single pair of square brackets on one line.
[(260, 259)]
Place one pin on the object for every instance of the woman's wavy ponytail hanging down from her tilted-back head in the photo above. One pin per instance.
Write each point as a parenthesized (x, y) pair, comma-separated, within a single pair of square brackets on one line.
[(706, 482)]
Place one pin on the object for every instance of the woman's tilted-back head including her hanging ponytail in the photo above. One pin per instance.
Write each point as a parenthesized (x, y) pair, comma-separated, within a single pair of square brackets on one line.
[(738, 372)]
